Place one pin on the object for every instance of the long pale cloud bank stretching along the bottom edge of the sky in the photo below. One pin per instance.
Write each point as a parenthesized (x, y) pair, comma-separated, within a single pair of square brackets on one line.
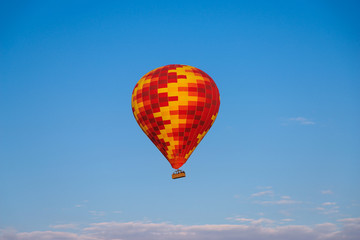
[(164, 231)]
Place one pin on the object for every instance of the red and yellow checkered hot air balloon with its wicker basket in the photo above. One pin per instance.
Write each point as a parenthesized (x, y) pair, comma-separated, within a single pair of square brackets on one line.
[(176, 105)]
